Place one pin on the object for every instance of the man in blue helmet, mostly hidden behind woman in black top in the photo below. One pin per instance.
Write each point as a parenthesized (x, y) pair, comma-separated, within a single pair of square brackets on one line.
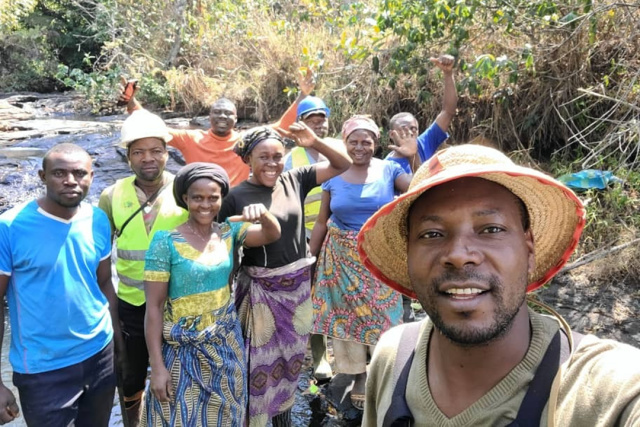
[(313, 112)]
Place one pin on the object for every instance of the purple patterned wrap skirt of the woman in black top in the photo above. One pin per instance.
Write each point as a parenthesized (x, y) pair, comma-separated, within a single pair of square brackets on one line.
[(275, 310)]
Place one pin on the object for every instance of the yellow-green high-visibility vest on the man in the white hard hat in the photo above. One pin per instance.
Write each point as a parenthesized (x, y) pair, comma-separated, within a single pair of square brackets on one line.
[(134, 241)]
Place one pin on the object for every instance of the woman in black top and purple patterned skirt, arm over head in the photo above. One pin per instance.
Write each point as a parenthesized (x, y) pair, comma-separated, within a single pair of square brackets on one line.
[(273, 293)]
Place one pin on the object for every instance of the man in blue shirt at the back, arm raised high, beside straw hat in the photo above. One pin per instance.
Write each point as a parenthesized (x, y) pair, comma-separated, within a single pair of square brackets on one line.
[(405, 124)]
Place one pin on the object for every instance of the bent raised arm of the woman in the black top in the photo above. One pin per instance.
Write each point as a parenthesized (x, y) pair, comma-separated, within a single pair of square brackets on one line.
[(338, 159)]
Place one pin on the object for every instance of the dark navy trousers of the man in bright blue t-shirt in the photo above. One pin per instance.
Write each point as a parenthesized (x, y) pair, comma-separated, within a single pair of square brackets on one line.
[(79, 395)]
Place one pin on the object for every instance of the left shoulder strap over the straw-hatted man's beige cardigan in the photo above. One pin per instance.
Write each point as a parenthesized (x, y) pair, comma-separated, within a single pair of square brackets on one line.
[(398, 414)]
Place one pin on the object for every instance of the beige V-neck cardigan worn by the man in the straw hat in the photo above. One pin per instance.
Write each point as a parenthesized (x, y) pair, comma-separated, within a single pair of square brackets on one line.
[(601, 386)]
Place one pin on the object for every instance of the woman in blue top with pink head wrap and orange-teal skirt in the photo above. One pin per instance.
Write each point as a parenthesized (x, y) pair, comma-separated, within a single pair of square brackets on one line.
[(350, 305)]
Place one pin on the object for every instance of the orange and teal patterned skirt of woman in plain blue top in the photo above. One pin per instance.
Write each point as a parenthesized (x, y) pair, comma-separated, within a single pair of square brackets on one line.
[(348, 302)]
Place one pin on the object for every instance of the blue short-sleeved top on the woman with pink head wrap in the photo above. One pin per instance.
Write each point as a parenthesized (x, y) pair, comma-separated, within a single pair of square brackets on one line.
[(353, 204)]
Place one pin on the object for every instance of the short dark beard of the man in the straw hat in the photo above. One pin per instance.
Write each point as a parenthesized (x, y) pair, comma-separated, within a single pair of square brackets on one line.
[(467, 337)]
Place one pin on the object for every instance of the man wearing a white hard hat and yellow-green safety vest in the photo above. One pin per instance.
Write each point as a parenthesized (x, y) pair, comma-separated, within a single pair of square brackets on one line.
[(137, 207)]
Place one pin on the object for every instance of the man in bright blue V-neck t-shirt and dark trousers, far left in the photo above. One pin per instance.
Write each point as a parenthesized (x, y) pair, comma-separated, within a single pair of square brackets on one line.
[(55, 269)]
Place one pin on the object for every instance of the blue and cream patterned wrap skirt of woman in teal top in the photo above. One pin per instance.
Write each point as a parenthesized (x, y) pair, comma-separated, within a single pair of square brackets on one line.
[(208, 374)]
